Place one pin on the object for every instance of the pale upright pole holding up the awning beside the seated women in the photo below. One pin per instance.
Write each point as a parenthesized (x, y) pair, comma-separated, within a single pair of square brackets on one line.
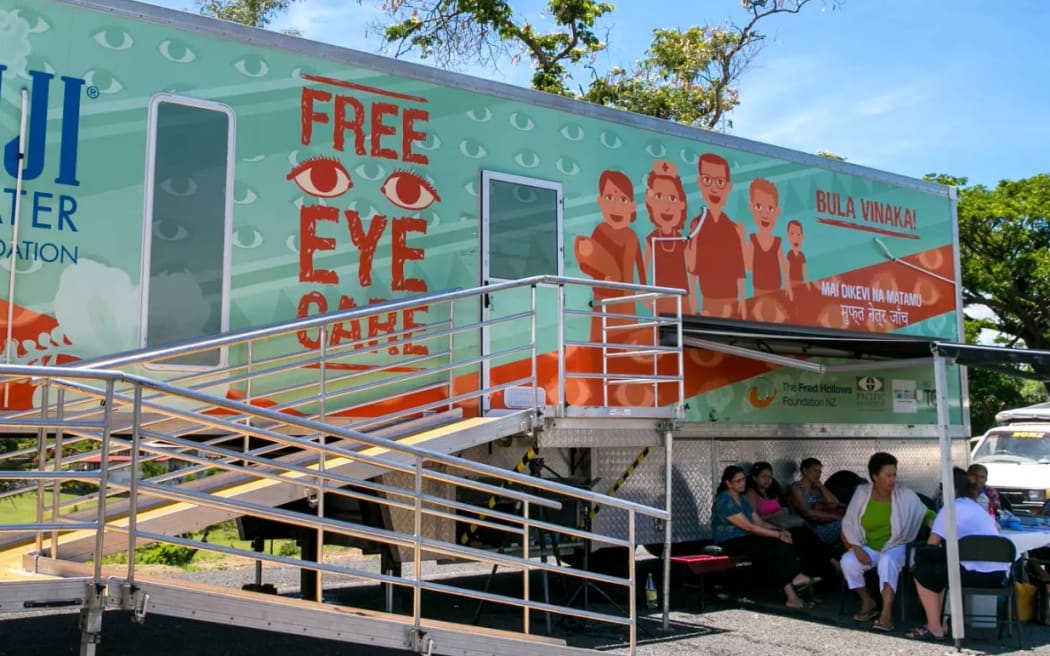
[(949, 494)]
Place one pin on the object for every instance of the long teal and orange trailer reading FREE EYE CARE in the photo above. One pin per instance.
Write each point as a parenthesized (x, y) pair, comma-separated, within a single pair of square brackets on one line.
[(186, 177)]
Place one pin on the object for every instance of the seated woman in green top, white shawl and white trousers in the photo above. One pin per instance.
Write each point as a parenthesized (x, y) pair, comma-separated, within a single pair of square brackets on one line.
[(881, 520)]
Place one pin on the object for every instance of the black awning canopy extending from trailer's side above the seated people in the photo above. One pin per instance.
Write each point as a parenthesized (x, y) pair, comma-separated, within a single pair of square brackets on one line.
[(789, 346)]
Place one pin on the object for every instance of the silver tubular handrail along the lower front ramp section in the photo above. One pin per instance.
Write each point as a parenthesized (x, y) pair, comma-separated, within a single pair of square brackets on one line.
[(523, 525)]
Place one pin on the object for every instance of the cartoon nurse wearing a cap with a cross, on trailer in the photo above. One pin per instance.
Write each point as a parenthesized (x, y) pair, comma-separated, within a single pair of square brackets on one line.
[(665, 247)]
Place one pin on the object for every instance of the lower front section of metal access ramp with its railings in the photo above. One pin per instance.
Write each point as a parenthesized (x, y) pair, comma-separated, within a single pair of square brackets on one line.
[(427, 471)]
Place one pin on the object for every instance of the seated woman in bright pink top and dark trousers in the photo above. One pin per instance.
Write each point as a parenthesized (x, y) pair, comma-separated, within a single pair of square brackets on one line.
[(764, 493)]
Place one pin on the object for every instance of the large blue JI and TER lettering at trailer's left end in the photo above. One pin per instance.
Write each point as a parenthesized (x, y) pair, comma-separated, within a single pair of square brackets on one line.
[(44, 207)]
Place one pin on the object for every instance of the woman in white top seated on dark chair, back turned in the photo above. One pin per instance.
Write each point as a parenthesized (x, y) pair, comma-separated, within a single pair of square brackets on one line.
[(932, 570)]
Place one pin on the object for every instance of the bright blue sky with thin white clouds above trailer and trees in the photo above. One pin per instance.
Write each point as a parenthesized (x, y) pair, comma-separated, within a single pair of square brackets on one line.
[(908, 87)]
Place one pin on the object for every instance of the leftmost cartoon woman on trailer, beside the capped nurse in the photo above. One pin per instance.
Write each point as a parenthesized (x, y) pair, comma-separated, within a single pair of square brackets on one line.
[(613, 252)]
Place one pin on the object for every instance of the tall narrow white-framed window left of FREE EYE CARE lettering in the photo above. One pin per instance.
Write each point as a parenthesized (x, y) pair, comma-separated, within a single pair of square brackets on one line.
[(188, 220)]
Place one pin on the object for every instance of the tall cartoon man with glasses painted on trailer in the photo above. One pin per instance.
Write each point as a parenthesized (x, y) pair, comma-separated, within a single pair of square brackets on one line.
[(715, 255)]
